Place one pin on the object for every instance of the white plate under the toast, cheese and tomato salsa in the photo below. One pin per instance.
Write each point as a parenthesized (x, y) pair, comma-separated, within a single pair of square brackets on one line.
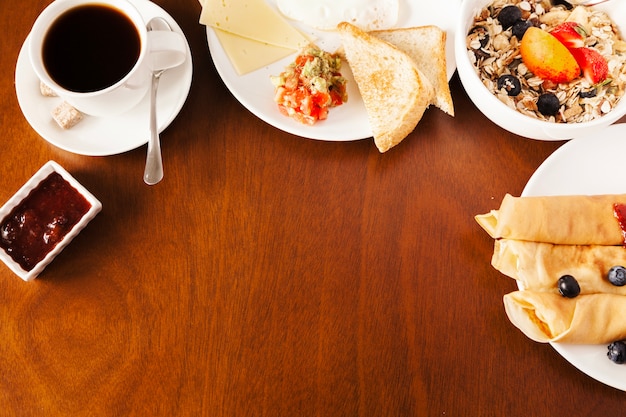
[(348, 121)]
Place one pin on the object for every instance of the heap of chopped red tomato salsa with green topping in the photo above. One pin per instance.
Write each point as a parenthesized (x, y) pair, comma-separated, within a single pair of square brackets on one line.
[(310, 85)]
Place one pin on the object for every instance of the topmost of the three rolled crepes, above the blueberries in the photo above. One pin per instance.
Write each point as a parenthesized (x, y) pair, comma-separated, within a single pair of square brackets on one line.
[(568, 220)]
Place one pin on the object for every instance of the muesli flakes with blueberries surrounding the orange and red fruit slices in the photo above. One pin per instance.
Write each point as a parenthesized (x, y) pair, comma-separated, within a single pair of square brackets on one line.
[(495, 53)]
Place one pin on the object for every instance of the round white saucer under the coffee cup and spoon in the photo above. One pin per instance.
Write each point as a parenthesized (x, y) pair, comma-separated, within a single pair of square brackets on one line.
[(100, 136)]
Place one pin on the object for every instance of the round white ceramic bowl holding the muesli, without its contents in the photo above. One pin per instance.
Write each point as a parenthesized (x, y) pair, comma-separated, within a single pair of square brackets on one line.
[(504, 116)]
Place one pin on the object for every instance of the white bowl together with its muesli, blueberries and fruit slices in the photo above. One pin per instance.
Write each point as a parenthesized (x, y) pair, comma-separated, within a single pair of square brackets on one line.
[(499, 81)]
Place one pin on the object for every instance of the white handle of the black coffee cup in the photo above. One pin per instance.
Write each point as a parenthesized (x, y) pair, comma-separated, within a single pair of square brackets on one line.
[(166, 49)]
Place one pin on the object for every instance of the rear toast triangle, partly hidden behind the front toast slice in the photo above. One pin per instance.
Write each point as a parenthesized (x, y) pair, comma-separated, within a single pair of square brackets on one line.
[(426, 45)]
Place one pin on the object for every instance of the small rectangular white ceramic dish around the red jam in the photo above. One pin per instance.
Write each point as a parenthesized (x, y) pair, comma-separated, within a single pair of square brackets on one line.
[(22, 193)]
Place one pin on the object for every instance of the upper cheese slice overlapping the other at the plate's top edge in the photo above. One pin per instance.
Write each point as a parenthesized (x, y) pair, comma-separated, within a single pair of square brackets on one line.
[(252, 19)]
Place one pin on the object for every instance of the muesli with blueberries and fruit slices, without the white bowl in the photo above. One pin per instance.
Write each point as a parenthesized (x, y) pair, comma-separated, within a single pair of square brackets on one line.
[(555, 63)]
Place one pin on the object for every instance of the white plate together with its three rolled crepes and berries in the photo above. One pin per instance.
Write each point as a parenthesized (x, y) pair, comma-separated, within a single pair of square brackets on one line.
[(563, 240)]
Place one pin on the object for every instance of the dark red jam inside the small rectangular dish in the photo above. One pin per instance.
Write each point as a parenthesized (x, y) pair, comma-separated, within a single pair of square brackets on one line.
[(41, 220)]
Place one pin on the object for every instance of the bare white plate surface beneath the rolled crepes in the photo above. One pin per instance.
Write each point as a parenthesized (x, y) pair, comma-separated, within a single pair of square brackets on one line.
[(588, 165)]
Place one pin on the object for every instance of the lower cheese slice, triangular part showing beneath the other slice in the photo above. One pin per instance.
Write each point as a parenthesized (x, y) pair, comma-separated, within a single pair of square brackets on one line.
[(247, 55)]
